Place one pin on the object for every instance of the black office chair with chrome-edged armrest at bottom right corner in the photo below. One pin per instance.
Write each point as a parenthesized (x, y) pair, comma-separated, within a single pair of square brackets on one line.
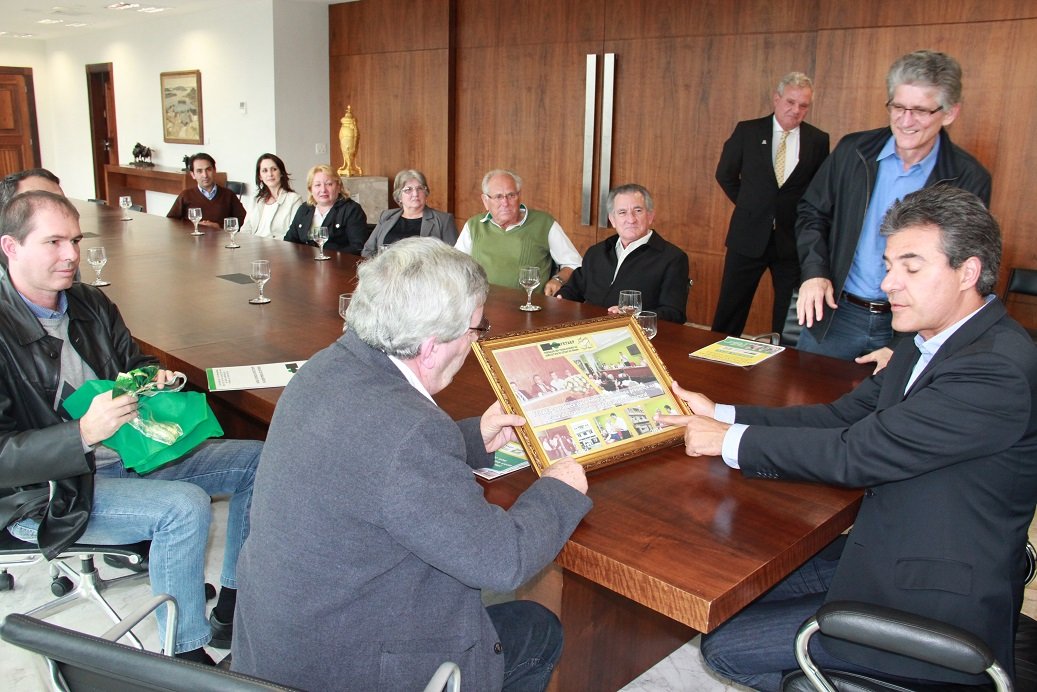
[(917, 638)]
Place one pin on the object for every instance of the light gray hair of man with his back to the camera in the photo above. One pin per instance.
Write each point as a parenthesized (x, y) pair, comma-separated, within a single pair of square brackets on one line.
[(412, 290)]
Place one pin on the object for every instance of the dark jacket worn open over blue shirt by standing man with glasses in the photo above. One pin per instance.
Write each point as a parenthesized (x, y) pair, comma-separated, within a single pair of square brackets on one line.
[(832, 211)]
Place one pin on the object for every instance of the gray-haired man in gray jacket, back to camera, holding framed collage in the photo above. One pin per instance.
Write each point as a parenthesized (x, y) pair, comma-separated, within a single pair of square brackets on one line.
[(367, 560)]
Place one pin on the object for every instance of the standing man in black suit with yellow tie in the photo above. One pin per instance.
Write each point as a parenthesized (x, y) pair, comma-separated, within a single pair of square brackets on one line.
[(762, 234)]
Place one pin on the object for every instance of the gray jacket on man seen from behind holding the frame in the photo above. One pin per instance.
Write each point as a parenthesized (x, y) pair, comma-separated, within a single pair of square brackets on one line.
[(371, 538)]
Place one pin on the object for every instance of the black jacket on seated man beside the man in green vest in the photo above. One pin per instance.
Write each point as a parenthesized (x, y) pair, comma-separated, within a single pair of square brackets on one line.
[(658, 269)]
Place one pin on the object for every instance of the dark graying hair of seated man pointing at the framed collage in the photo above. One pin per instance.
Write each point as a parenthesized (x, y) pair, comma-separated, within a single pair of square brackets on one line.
[(967, 229)]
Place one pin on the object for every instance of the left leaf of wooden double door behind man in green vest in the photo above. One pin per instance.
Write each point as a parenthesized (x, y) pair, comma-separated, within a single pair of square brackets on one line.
[(520, 98)]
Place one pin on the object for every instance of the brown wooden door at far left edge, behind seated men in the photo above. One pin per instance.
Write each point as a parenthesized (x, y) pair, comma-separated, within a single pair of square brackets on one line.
[(19, 140)]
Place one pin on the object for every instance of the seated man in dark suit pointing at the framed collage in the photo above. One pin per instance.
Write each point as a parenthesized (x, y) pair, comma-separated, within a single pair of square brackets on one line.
[(944, 441)]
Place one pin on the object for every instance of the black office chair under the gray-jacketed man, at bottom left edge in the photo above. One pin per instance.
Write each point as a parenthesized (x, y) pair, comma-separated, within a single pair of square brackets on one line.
[(85, 662)]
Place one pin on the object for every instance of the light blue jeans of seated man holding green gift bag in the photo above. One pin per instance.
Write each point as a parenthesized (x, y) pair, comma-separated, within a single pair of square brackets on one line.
[(171, 508)]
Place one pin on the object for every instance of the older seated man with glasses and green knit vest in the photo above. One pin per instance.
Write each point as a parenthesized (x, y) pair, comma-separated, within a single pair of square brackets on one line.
[(511, 236)]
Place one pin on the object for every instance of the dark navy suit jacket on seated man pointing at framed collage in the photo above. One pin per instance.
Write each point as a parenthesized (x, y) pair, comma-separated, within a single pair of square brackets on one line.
[(950, 473)]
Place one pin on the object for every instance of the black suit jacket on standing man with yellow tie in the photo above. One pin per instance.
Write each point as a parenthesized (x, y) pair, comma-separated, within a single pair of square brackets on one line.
[(746, 173)]
